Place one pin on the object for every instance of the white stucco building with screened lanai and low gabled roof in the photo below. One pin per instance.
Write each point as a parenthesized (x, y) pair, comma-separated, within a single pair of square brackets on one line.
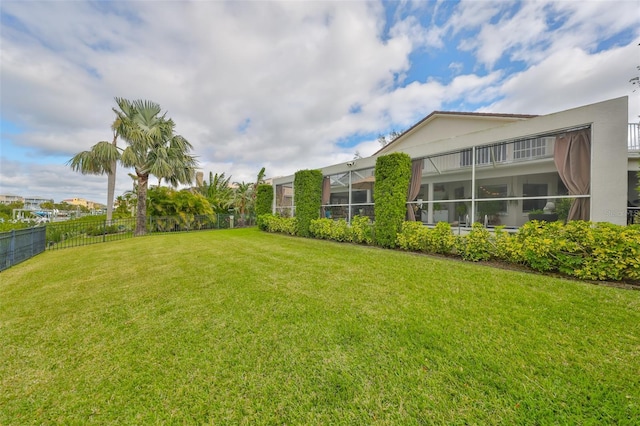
[(497, 168)]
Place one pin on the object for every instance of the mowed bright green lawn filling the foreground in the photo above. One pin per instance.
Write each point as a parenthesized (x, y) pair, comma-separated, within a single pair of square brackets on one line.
[(244, 327)]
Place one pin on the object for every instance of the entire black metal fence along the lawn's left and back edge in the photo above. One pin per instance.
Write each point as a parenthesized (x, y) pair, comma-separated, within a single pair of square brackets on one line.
[(19, 245)]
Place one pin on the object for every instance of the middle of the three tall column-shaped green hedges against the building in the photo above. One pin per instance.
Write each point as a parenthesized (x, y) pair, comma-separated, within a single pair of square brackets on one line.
[(307, 186)]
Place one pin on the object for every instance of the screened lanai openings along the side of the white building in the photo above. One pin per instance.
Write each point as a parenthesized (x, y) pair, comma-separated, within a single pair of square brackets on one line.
[(497, 184)]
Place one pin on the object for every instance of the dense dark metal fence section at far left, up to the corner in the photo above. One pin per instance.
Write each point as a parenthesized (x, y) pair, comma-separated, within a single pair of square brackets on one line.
[(21, 244)]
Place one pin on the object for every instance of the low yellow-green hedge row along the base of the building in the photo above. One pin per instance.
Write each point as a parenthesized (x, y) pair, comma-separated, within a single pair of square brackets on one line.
[(585, 250)]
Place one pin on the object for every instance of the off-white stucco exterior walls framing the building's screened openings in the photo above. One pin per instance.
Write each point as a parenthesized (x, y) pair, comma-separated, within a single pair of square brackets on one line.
[(609, 149)]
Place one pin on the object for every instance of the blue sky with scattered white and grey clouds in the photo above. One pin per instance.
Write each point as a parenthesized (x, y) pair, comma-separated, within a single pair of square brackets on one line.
[(288, 85)]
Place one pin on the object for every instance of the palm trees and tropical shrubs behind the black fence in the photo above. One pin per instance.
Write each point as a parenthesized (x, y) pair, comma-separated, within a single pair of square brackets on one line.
[(151, 147)]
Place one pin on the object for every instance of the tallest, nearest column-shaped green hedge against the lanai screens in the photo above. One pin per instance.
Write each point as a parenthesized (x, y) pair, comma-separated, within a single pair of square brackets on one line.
[(392, 174)]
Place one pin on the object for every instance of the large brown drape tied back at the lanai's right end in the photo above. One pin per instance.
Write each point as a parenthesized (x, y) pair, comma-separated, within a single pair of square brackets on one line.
[(572, 155)]
